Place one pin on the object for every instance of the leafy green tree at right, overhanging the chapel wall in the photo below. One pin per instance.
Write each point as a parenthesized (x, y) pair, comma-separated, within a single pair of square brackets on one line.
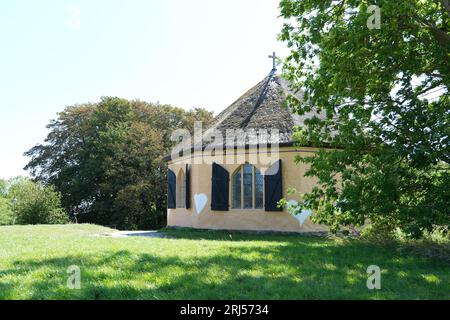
[(384, 94)]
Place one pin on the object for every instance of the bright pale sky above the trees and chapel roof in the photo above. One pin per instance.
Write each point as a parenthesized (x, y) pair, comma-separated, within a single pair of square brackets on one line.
[(198, 53)]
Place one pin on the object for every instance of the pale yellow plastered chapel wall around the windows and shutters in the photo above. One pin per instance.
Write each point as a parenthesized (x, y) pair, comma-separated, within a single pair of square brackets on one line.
[(242, 219)]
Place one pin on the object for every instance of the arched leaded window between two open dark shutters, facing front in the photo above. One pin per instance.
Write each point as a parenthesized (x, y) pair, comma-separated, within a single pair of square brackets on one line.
[(247, 185)]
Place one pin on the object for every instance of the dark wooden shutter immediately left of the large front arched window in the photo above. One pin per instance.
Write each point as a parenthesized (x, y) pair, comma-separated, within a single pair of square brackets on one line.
[(219, 188)]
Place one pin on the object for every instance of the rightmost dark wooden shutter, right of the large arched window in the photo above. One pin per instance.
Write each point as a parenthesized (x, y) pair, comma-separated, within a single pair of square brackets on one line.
[(273, 187)]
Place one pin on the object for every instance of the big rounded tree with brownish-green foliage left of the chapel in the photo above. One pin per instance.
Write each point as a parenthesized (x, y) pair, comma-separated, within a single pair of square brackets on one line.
[(107, 159)]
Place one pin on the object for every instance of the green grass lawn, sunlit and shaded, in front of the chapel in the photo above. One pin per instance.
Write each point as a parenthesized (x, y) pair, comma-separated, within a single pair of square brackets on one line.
[(207, 265)]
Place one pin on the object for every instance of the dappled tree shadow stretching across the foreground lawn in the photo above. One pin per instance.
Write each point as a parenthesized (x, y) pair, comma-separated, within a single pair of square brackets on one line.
[(291, 267)]
